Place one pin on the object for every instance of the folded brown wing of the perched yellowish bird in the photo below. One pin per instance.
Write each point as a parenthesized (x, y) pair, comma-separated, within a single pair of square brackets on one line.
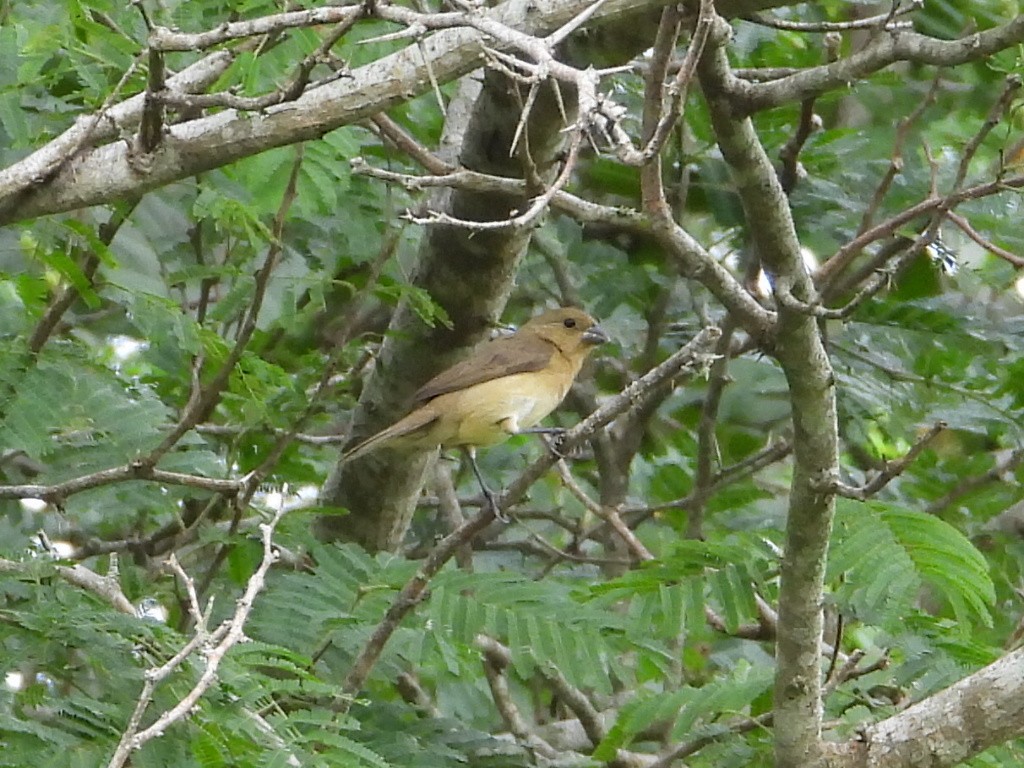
[(517, 355)]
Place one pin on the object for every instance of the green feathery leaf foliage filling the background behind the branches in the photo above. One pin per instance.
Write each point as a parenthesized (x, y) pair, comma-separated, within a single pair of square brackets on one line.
[(926, 578)]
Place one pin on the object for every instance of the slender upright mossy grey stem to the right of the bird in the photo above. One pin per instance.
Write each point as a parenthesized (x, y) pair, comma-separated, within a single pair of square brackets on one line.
[(813, 401)]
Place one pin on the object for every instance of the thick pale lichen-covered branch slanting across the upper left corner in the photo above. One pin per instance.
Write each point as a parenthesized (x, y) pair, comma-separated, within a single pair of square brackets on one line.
[(110, 173)]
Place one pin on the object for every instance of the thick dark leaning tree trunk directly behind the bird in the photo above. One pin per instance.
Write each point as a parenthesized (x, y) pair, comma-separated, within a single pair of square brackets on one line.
[(471, 276)]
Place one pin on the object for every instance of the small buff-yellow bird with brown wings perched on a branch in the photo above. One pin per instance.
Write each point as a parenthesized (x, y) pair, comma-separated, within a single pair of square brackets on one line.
[(505, 388)]
